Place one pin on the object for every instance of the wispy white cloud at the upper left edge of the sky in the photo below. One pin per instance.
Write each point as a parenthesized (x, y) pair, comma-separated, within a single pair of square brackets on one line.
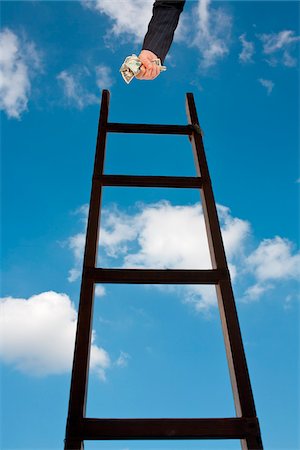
[(19, 62)]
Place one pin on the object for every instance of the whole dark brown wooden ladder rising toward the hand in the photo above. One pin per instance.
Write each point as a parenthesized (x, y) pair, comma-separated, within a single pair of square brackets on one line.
[(79, 428)]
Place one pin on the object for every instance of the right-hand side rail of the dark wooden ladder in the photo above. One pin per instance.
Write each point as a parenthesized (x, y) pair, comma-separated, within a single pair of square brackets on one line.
[(239, 375)]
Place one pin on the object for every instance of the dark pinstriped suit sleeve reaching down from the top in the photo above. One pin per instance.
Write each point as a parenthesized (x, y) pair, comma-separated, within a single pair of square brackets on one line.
[(162, 26)]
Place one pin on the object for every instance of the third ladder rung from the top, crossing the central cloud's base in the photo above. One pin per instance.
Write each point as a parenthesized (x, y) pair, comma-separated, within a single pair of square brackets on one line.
[(153, 276)]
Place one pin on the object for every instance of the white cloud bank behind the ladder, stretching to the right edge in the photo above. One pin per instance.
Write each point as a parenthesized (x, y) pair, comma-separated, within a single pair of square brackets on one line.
[(166, 236)]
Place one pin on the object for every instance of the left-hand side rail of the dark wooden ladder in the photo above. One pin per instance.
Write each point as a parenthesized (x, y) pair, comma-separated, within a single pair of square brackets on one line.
[(80, 370)]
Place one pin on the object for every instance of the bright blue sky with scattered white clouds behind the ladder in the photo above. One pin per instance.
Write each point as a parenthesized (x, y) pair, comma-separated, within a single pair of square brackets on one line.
[(156, 351)]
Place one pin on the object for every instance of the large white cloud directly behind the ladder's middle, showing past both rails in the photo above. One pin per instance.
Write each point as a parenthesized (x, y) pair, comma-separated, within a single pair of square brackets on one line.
[(165, 236)]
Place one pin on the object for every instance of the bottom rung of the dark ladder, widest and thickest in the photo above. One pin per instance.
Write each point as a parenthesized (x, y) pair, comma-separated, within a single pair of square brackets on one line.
[(228, 428)]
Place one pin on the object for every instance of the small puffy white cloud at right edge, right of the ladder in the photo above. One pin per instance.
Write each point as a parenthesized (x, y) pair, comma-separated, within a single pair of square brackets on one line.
[(274, 260)]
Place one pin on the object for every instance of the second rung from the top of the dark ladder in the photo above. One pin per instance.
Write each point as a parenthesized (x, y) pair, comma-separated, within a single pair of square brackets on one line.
[(150, 181)]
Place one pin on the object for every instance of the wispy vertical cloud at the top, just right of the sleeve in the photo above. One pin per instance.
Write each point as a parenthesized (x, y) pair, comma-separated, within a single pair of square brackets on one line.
[(213, 32)]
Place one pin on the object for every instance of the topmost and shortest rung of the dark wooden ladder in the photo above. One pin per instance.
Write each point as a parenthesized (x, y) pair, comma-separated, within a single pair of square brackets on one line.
[(149, 128)]
